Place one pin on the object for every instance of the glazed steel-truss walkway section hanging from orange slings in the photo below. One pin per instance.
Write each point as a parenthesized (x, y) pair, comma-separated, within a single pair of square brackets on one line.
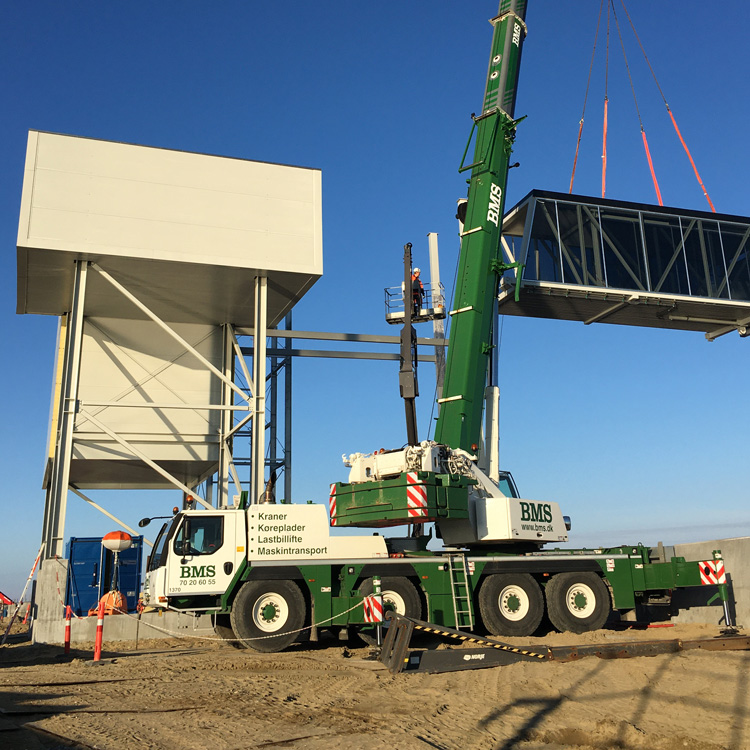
[(602, 261)]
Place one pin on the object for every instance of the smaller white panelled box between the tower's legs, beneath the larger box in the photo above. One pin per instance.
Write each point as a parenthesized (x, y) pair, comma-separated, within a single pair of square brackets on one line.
[(136, 362)]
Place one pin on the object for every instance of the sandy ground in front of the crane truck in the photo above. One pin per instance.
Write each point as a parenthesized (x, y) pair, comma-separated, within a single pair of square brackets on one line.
[(198, 694)]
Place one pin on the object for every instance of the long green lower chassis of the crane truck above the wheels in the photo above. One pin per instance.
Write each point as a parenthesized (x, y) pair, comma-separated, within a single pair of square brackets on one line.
[(332, 590)]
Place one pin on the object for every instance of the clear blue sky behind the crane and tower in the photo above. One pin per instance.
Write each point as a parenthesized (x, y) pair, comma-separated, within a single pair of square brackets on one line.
[(639, 434)]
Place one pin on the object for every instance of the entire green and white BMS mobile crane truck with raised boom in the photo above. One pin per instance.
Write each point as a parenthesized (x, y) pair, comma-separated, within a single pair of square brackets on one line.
[(271, 573)]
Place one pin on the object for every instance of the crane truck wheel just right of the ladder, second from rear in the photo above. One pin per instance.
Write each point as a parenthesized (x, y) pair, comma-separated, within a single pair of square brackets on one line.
[(511, 604)]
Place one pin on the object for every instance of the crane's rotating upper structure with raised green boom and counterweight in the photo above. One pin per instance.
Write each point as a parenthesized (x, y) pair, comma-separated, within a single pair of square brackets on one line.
[(440, 480)]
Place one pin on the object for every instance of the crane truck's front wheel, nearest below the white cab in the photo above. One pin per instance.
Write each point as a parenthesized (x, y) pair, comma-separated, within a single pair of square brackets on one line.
[(263, 609)]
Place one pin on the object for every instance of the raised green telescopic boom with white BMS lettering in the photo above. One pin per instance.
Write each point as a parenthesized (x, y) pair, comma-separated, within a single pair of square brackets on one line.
[(473, 310)]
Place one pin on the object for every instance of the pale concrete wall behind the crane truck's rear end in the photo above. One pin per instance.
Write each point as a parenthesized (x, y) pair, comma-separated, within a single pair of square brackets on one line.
[(692, 603)]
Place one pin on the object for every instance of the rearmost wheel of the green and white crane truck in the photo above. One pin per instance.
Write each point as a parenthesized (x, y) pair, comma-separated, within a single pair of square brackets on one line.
[(577, 602)]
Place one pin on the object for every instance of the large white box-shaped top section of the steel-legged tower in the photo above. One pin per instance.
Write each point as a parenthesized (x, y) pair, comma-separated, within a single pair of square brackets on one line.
[(126, 207)]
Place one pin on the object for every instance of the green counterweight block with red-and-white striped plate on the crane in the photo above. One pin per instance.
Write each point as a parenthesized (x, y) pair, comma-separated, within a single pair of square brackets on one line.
[(384, 503)]
